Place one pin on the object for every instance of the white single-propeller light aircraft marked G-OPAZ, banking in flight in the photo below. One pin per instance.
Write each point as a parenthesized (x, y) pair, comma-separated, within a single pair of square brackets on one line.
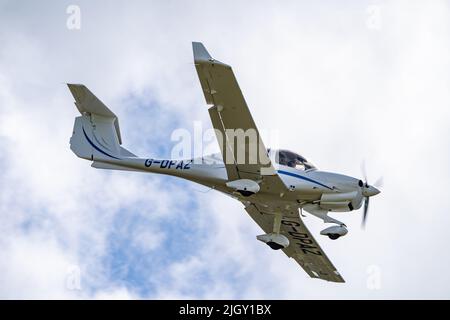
[(274, 186)]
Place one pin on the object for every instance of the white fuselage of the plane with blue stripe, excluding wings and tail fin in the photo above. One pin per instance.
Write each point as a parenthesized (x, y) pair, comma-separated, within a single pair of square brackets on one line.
[(305, 187)]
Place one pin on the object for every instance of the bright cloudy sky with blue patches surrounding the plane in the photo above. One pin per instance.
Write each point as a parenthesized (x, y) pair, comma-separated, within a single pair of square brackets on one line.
[(341, 83)]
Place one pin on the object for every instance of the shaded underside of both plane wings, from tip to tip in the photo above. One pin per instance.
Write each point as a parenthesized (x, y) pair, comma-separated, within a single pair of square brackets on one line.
[(229, 115)]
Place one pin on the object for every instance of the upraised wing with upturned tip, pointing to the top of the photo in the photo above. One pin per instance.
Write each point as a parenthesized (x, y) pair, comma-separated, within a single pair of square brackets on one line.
[(230, 116)]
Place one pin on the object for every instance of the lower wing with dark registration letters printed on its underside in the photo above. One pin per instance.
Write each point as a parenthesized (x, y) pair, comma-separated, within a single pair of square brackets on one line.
[(303, 247)]
